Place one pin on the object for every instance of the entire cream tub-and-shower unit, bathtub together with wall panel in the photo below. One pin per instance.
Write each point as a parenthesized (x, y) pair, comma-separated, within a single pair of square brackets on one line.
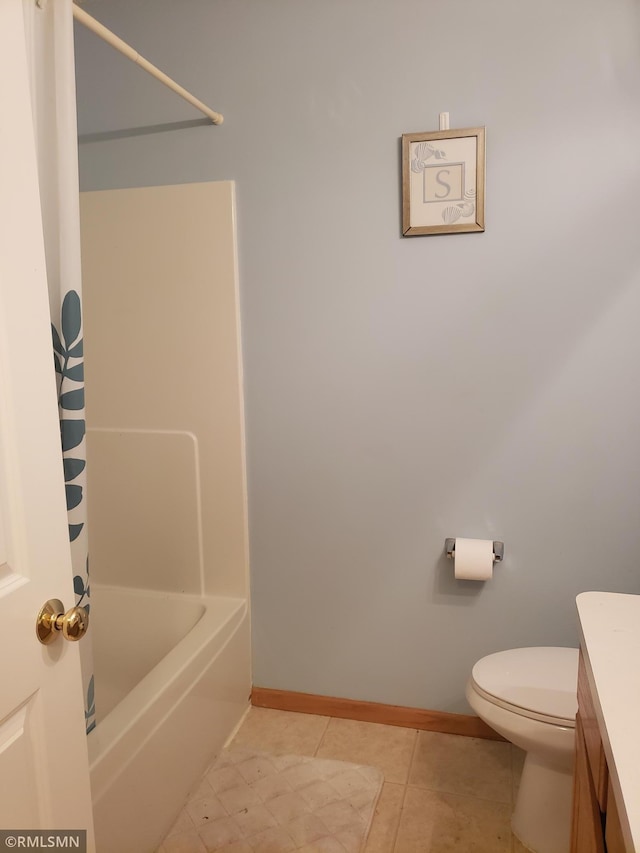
[(167, 503)]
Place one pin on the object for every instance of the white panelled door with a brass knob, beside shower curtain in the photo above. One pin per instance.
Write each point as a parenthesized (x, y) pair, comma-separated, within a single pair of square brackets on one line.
[(44, 775)]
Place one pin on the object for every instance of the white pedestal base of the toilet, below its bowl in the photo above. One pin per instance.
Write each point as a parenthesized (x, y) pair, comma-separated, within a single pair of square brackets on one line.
[(542, 816)]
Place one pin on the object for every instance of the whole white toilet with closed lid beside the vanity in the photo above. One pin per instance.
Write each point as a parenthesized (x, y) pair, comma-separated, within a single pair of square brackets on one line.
[(529, 697)]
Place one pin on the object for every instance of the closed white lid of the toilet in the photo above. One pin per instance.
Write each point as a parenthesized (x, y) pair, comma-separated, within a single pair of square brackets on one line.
[(541, 680)]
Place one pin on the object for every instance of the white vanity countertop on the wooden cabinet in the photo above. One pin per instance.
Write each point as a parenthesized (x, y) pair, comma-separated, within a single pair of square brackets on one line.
[(610, 628)]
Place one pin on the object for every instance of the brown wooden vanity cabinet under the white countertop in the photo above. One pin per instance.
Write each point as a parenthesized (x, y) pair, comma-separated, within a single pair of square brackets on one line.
[(596, 825)]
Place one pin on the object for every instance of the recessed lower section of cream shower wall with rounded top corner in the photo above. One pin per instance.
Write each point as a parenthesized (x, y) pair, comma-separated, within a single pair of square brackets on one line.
[(145, 510)]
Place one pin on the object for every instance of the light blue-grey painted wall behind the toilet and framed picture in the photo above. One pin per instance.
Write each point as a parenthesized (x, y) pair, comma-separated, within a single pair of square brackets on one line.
[(399, 391)]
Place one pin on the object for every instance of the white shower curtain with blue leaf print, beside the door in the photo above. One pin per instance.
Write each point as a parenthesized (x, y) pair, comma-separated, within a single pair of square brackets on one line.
[(49, 33)]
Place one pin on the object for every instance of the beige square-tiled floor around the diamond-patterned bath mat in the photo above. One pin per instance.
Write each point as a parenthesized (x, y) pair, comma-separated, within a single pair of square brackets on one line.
[(441, 794)]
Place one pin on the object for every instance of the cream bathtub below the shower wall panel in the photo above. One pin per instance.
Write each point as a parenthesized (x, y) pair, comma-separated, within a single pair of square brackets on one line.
[(172, 673)]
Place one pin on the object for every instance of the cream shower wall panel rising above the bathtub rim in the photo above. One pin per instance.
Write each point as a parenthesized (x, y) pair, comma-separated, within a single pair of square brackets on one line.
[(163, 355)]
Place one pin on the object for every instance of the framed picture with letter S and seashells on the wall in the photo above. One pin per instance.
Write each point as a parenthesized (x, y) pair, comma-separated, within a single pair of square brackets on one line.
[(443, 181)]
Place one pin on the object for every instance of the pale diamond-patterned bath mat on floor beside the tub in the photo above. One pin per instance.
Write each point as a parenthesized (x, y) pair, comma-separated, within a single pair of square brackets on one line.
[(282, 803)]
